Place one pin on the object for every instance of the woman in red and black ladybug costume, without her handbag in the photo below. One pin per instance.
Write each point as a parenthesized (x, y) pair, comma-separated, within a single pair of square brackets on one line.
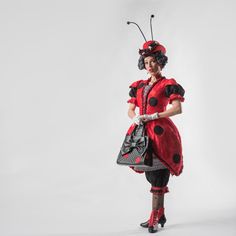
[(152, 96)]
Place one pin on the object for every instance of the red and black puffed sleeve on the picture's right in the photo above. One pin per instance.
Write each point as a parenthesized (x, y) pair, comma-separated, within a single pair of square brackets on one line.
[(173, 91)]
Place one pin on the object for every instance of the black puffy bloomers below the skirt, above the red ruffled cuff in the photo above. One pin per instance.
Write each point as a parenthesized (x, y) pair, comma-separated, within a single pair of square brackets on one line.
[(158, 178)]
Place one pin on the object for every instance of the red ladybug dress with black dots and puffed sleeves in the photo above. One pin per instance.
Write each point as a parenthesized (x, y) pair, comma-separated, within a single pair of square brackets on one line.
[(166, 141)]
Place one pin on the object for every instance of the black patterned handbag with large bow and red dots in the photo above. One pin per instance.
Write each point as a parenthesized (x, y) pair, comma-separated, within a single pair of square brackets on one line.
[(134, 150)]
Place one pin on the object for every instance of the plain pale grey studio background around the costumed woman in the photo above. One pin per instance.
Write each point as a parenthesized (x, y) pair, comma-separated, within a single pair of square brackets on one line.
[(65, 71)]
